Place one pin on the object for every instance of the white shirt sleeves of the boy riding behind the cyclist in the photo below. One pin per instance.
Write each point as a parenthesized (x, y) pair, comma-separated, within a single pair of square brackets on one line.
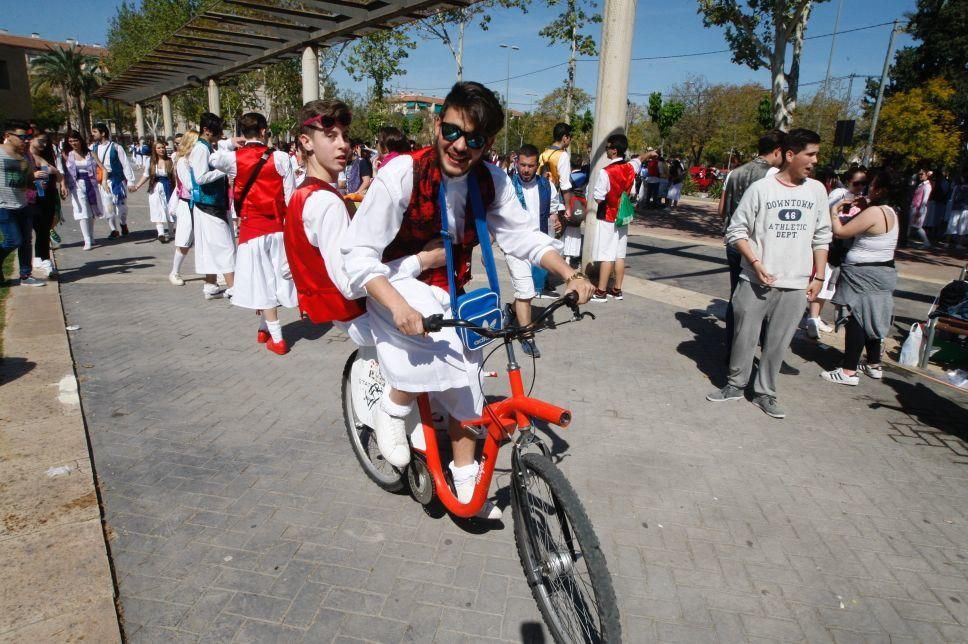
[(325, 221)]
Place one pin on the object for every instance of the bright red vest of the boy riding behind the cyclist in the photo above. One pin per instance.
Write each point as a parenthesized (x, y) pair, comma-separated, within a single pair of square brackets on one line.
[(318, 296)]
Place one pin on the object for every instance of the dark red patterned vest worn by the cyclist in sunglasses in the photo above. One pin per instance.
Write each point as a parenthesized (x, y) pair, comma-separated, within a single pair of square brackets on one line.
[(422, 222)]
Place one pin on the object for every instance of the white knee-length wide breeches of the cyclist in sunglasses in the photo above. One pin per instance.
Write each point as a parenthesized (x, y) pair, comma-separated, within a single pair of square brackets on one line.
[(436, 363)]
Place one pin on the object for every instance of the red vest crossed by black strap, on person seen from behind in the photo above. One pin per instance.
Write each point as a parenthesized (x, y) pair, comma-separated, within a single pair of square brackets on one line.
[(265, 205)]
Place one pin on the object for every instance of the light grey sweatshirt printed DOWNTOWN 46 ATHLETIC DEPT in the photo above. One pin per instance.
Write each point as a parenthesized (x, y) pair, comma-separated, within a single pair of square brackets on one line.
[(784, 224)]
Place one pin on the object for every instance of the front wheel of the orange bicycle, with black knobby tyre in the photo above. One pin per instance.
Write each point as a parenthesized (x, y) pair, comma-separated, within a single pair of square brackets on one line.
[(560, 554)]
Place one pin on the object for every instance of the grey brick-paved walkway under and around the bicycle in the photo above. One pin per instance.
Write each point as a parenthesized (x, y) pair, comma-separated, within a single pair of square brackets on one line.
[(239, 513)]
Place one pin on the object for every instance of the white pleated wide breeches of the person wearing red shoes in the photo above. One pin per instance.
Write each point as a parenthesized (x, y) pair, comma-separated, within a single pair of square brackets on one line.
[(262, 277)]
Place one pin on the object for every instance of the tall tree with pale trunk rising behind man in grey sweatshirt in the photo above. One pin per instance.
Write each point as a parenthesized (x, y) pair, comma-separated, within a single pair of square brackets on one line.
[(759, 37)]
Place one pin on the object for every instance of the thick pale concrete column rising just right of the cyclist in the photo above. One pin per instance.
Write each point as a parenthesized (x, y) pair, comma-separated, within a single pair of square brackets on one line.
[(614, 63)]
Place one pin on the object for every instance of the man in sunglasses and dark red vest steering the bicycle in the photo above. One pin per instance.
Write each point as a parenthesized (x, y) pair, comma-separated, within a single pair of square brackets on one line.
[(401, 212)]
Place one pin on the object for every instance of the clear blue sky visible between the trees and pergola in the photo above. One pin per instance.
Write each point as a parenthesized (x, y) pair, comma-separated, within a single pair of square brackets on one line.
[(661, 29)]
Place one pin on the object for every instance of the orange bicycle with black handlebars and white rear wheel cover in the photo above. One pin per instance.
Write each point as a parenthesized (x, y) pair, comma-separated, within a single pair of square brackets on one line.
[(559, 551)]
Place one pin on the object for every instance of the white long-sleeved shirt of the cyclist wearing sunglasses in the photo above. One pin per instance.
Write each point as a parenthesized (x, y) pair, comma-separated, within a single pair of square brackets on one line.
[(381, 214)]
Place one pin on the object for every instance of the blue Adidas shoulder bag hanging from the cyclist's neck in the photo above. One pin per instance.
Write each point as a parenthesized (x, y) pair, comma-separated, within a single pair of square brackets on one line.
[(482, 306)]
